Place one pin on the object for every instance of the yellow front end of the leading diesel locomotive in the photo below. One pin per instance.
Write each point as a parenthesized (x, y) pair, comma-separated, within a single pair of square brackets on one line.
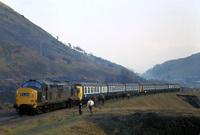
[(26, 100)]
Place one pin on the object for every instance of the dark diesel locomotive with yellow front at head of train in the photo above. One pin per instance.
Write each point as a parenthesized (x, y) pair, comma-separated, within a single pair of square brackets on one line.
[(36, 96)]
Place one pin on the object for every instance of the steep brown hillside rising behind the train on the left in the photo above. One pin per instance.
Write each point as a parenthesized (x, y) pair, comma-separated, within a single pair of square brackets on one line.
[(27, 51)]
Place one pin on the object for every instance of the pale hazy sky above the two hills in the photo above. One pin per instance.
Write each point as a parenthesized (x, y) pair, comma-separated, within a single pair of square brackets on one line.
[(137, 34)]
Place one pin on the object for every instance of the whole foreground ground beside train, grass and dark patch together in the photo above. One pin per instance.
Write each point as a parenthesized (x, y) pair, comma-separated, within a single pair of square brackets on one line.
[(164, 113)]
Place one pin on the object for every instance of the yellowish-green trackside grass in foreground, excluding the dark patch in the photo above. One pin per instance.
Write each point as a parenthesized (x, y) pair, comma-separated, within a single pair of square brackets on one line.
[(68, 121)]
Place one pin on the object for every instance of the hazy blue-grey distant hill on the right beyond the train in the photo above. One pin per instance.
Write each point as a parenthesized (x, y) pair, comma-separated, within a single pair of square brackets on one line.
[(185, 71)]
